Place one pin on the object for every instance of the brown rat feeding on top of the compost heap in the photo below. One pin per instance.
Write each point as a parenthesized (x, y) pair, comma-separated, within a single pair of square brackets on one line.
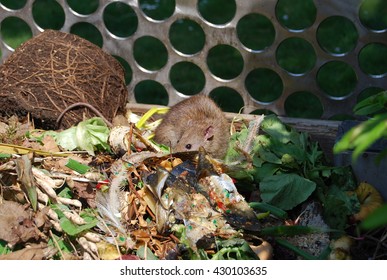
[(194, 122)]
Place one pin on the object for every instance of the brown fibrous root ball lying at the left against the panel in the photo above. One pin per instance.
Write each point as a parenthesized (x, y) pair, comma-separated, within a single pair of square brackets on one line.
[(54, 70)]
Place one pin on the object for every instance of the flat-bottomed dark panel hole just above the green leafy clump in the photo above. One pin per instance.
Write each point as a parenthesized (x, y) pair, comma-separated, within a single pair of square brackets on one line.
[(303, 104)]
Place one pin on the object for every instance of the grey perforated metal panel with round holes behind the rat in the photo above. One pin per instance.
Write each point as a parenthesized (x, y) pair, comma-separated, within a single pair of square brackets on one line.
[(226, 34)]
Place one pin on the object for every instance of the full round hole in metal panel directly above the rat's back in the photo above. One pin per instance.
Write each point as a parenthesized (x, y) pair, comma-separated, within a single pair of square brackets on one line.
[(187, 78)]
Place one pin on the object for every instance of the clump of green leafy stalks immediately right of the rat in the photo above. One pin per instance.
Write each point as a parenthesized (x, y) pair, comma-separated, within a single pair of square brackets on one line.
[(289, 168)]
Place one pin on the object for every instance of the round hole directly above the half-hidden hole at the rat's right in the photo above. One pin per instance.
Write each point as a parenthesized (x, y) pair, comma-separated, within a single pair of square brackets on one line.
[(225, 62)]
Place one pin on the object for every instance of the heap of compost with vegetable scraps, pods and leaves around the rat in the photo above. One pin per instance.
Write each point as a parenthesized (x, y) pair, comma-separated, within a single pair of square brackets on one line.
[(96, 192)]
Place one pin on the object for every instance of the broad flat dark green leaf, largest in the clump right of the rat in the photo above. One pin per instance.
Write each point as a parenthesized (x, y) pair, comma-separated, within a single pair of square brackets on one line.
[(286, 191)]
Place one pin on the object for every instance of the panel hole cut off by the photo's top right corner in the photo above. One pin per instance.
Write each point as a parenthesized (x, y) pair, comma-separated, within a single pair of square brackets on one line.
[(373, 14)]
